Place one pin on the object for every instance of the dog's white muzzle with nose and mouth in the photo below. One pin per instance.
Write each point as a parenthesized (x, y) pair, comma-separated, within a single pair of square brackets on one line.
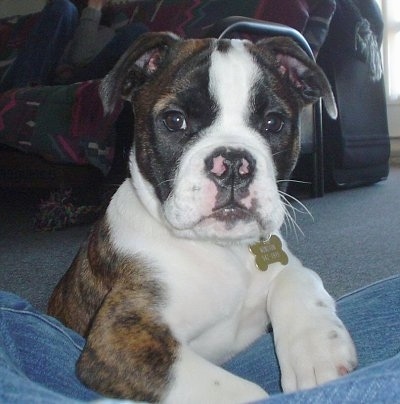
[(225, 192)]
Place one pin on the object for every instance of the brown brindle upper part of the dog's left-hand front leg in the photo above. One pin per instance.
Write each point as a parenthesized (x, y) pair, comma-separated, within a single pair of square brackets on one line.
[(129, 352)]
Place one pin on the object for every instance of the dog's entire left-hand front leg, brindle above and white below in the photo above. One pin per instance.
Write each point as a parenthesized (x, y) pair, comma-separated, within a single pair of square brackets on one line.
[(131, 353)]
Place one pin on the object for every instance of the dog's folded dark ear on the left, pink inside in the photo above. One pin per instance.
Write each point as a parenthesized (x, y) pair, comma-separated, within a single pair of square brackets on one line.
[(141, 60)]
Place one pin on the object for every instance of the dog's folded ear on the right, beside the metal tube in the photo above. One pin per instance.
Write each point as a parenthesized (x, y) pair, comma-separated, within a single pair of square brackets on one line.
[(304, 74)]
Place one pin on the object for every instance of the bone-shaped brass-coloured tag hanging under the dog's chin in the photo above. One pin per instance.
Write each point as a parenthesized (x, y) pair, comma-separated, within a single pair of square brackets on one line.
[(267, 252)]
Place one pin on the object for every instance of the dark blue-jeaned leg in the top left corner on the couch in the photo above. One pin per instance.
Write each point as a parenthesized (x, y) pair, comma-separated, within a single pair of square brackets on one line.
[(36, 61)]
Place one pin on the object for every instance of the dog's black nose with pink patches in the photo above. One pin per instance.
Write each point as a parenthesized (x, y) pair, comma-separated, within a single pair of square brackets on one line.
[(231, 168)]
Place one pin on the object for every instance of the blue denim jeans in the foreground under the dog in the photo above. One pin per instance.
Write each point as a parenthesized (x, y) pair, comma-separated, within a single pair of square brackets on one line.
[(38, 355)]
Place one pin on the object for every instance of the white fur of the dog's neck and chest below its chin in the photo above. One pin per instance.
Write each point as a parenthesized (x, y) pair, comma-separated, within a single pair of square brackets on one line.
[(214, 297)]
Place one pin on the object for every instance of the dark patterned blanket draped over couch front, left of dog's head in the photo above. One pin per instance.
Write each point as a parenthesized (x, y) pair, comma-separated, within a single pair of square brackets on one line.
[(63, 124)]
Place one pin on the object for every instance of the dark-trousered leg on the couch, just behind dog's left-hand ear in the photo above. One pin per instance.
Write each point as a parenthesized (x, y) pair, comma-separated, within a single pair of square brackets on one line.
[(110, 54)]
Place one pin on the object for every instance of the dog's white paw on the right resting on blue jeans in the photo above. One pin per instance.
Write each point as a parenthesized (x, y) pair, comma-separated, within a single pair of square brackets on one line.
[(321, 351)]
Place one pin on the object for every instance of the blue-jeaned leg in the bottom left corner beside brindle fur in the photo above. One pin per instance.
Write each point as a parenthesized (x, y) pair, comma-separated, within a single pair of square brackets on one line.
[(37, 356)]
